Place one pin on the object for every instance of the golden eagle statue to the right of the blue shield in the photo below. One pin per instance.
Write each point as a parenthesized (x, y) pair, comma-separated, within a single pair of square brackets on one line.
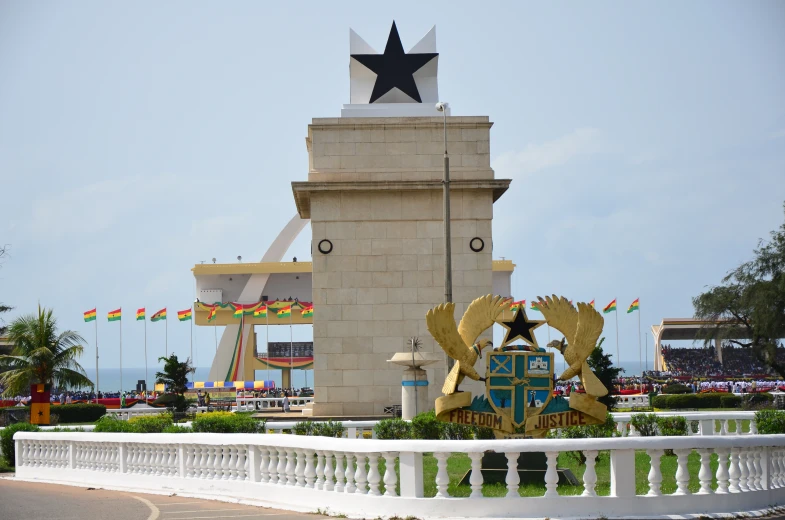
[(581, 329)]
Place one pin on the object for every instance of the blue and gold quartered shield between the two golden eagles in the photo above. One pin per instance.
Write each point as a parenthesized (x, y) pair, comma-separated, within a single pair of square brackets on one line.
[(519, 383)]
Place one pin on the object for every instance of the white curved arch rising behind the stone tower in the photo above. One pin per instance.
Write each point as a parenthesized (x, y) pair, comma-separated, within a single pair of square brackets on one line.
[(251, 293)]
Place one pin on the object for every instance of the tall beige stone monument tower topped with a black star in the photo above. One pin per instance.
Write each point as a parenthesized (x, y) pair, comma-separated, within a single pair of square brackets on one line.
[(374, 197)]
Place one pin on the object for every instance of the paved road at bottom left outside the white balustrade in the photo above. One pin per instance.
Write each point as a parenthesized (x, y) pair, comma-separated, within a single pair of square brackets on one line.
[(29, 501)]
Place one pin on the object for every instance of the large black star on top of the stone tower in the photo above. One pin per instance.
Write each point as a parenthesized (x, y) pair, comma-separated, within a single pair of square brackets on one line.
[(395, 68)]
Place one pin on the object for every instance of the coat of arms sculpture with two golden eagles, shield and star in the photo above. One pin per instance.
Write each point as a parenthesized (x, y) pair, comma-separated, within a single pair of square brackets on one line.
[(519, 378)]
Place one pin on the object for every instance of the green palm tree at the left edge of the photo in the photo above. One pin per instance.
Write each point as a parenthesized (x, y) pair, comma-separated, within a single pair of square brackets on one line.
[(41, 355)]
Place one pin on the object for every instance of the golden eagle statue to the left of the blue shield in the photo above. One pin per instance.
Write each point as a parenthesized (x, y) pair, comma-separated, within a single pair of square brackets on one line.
[(459, 342)]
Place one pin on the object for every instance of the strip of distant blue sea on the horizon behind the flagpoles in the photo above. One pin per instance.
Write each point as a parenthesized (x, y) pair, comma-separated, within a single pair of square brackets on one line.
[(110, 377)]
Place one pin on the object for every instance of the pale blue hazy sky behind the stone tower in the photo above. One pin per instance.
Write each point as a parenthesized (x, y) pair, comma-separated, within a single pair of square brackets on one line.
[(645, 142)]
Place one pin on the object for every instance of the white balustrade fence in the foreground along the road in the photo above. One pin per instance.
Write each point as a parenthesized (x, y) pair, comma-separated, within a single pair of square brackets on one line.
[(361, 477)]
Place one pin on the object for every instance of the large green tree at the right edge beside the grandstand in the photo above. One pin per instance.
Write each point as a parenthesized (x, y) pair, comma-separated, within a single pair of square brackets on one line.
[(748, 307)]
